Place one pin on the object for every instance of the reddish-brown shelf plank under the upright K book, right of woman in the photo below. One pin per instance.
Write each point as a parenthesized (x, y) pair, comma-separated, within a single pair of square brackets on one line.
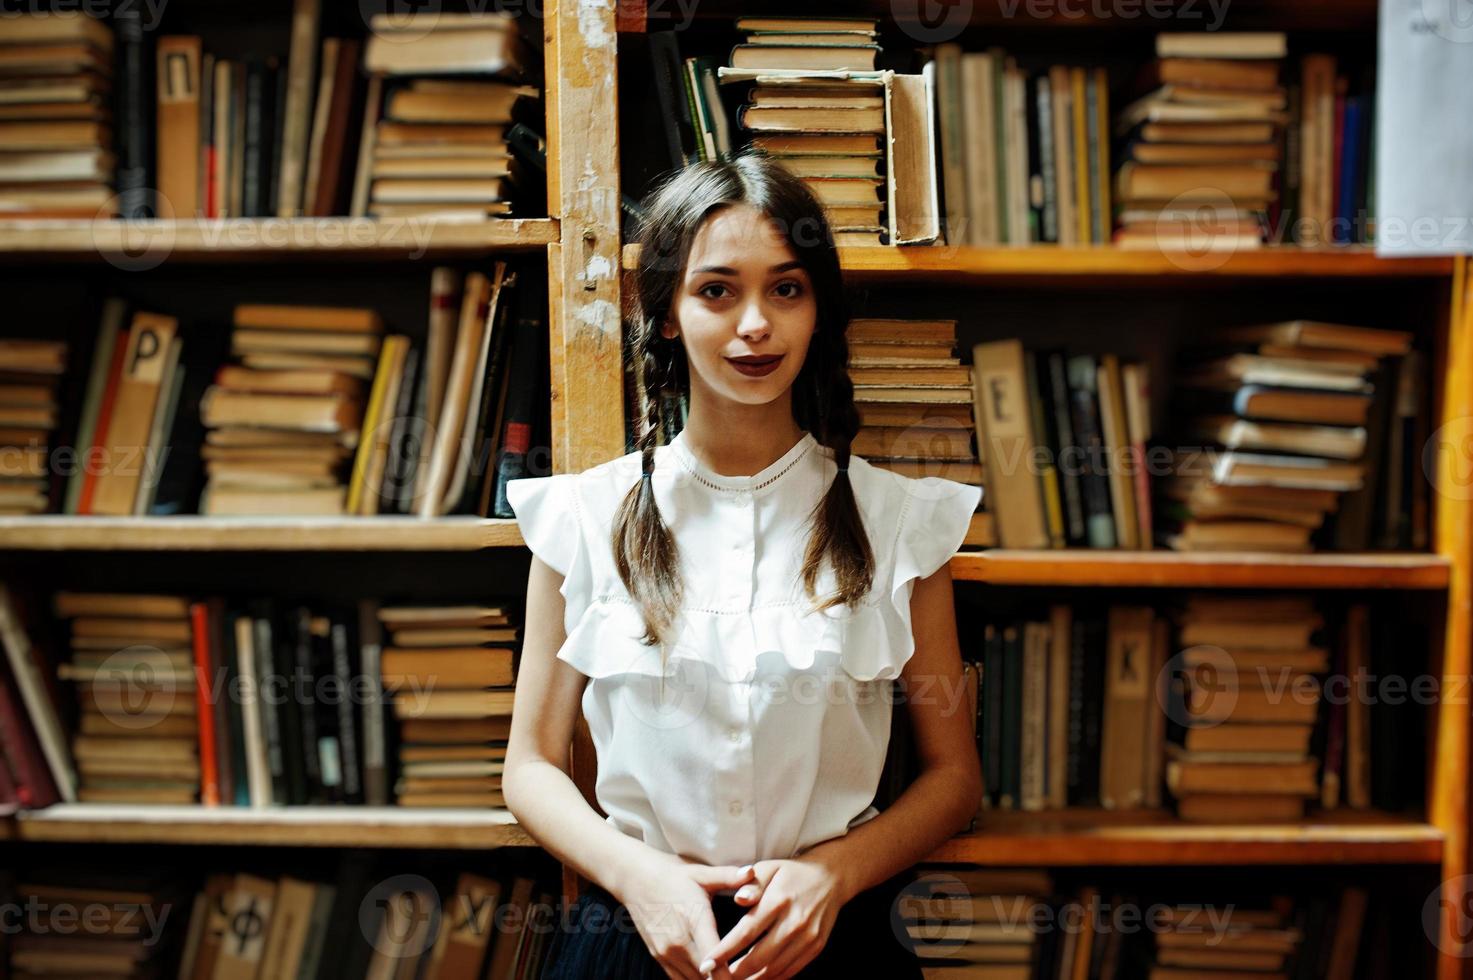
[(1156, 838)]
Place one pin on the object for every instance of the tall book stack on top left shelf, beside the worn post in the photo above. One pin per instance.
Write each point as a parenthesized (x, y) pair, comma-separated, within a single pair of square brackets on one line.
[(443, 95)]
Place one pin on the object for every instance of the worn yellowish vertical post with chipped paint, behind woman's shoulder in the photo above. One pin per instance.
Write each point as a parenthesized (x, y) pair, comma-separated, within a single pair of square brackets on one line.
[(583, 86)]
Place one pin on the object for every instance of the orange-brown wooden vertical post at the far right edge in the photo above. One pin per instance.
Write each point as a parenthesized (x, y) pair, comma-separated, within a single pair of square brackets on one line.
[(1455, 540)]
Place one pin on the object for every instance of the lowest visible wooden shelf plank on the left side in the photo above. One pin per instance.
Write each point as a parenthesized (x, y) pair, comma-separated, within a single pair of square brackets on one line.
[(291, 826)]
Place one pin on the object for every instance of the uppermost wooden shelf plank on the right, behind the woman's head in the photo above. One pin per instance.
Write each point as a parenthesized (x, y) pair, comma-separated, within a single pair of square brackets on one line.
[(1055, 265)]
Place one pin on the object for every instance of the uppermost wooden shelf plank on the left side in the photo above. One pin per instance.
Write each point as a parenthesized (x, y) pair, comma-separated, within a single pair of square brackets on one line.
[(136, 245)]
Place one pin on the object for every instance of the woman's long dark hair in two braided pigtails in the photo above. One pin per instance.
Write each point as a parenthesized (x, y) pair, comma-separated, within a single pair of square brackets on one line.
[(823, 393)]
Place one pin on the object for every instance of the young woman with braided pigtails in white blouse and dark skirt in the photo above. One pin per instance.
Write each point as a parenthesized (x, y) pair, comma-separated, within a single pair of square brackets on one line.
[(730, 611)]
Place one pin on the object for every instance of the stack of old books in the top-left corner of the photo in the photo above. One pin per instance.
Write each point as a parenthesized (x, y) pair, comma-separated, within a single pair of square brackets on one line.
[(55, 119)]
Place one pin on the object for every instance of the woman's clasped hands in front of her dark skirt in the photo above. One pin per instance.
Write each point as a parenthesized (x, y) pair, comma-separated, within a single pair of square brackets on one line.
[(792, 907)]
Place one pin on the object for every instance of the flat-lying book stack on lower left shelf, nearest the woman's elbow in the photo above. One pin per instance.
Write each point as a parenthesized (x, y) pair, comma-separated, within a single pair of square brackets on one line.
[(451, 668)]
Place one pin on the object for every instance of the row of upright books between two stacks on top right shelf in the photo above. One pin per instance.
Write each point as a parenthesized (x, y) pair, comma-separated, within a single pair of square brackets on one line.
[(1024, 155)]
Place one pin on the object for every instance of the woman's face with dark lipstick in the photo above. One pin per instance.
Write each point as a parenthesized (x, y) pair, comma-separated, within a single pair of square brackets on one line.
[(745, 309)]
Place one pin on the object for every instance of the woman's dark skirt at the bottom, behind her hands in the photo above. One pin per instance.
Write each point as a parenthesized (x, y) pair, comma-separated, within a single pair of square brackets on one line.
[(597, 939)]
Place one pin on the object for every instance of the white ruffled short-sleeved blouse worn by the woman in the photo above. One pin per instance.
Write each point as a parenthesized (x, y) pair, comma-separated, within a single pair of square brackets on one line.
[(768, 727)]
